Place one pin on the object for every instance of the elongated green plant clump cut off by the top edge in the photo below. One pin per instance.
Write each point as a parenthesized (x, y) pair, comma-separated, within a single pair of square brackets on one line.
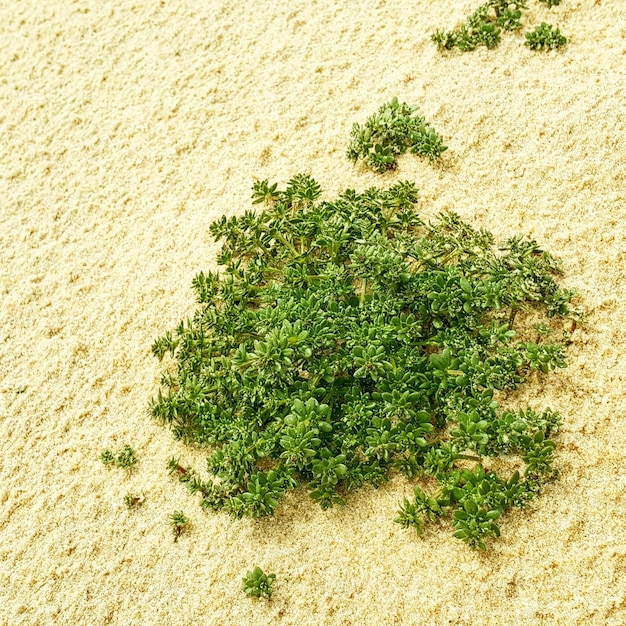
[(483, 27)]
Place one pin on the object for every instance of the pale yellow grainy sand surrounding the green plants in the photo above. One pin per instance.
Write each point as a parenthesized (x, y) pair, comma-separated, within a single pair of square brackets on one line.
[(126, 128)]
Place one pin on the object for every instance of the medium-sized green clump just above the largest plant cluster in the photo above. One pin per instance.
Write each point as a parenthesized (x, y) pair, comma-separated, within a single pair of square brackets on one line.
[(393, 130)]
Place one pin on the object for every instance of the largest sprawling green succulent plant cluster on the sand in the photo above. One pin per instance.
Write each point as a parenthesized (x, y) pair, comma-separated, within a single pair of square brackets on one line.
[(347, 340)]
